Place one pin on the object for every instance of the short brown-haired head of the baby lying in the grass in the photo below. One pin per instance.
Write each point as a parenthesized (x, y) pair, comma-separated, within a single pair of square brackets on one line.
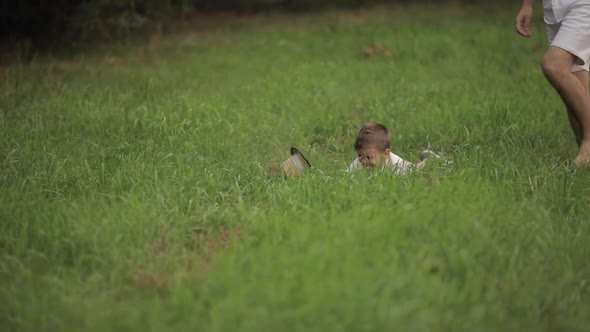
[(372, 144)]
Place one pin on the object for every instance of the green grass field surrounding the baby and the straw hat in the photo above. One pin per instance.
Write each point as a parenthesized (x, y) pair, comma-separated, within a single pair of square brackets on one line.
[(140, 191)]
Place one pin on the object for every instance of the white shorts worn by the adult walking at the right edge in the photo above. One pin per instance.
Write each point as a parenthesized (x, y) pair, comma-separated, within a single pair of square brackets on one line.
[(573, 34)]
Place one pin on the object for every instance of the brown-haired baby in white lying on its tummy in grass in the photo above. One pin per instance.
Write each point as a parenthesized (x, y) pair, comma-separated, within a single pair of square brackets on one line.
[(373, 147)]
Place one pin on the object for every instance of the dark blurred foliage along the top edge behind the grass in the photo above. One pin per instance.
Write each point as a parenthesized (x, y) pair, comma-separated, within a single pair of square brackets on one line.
[(41, 24)]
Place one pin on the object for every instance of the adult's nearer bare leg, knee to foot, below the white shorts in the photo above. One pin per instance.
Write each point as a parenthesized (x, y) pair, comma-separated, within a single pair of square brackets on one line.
[(557, 68)]
